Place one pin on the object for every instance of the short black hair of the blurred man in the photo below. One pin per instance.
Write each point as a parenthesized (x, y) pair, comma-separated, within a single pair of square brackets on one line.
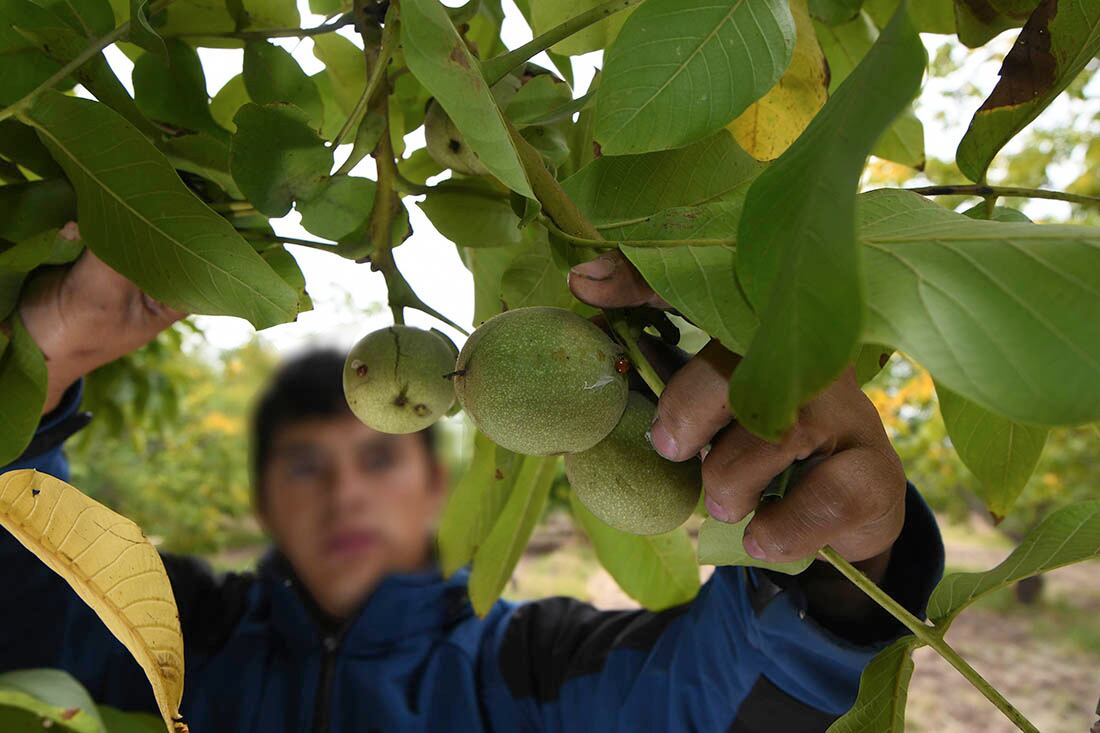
[(306, 386)]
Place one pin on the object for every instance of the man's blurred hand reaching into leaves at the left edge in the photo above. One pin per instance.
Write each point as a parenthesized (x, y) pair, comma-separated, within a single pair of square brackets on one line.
[(87, 316)]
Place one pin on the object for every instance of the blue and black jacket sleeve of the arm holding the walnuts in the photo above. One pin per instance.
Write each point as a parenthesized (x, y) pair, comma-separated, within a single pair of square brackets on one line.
[(743, 658)]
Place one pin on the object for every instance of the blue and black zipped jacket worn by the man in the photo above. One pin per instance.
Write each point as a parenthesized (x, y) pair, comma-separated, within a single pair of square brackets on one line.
[(743, 657)]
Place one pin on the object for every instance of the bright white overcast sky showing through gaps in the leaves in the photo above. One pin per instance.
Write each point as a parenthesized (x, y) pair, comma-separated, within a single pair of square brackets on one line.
[(348, 297)]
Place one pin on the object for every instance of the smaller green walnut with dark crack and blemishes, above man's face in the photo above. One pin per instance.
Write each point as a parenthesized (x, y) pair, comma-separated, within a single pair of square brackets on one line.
[(397, 379)]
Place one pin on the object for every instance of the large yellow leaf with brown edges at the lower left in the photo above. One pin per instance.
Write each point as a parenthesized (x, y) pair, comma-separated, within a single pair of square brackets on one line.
[(112, 566)]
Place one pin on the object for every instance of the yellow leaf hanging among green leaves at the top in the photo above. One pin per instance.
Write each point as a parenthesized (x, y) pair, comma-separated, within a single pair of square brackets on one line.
[(773, 123)]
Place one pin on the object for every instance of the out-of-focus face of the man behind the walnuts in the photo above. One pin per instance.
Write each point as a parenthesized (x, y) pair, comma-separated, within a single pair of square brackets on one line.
[(347, 506)]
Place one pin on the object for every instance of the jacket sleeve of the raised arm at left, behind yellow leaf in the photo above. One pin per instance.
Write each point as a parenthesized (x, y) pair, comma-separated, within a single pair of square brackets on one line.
[(45, 623)]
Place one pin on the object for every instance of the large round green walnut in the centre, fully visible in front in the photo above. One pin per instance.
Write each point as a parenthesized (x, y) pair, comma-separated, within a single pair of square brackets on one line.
[(542, 381)]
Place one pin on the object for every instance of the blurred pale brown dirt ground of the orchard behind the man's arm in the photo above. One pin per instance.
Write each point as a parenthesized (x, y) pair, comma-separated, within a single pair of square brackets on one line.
[(1046, 660)]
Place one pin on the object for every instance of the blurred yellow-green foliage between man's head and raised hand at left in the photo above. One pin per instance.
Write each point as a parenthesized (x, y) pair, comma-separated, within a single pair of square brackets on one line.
[(169, 443)]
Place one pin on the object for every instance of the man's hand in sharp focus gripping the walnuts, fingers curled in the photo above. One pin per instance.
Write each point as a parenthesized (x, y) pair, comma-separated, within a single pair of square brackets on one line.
[(853, 498)]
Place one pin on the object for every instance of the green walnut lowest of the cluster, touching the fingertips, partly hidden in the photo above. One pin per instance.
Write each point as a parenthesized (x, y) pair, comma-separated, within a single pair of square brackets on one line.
[(629, 485)]
